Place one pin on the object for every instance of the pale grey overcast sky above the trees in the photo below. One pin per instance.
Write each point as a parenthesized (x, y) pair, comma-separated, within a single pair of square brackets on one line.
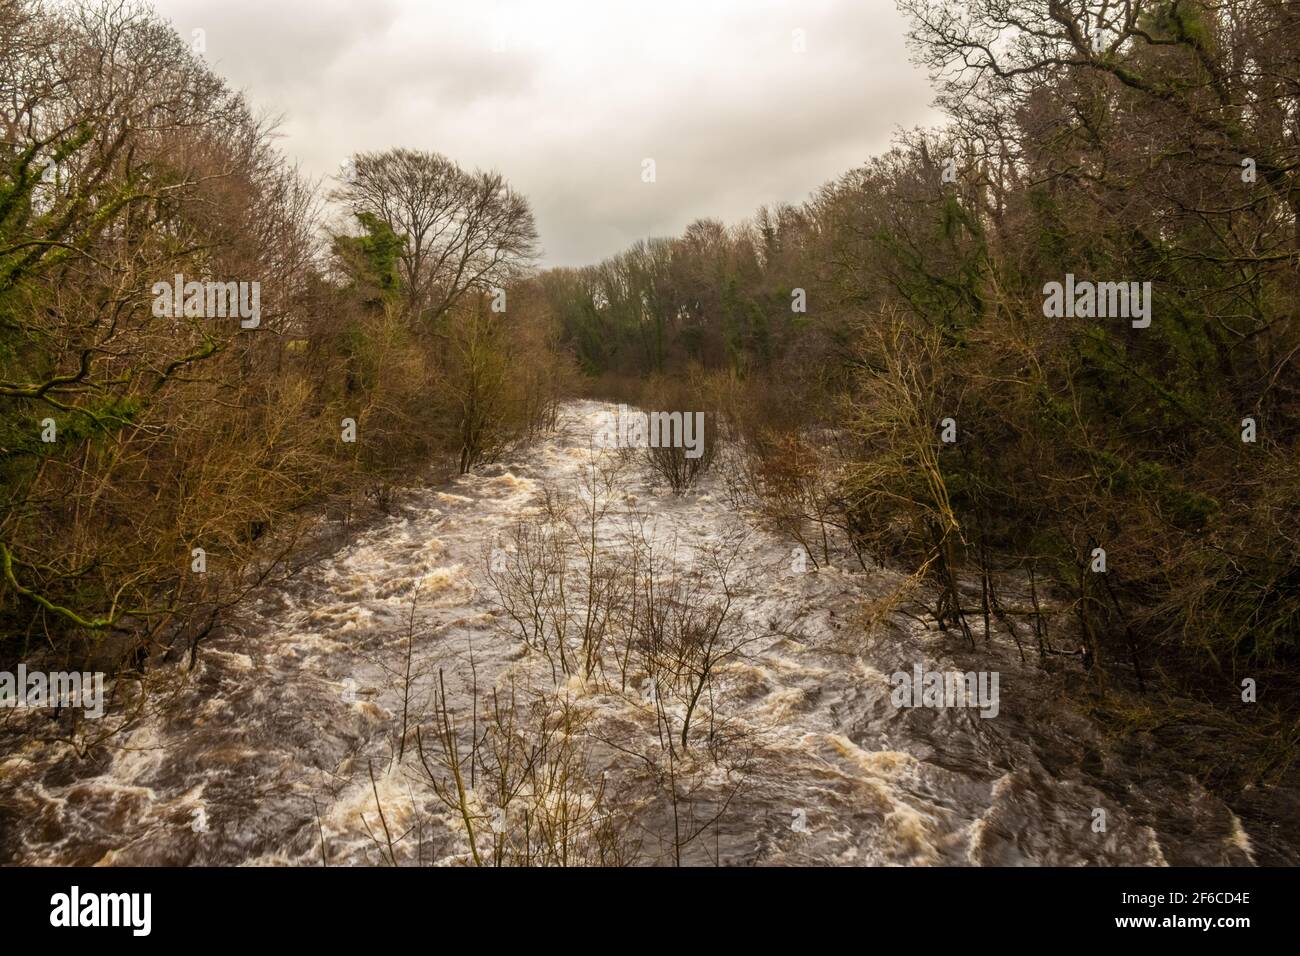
[(567, 98)]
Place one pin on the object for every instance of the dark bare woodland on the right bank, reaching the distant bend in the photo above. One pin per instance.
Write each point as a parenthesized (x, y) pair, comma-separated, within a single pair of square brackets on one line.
[(981, 426)]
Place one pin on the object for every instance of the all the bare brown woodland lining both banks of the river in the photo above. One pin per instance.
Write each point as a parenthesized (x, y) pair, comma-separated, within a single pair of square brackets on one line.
[(829, 341)]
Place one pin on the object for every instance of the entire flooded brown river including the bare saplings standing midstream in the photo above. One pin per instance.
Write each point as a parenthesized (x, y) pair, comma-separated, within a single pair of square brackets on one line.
[(320, 725)]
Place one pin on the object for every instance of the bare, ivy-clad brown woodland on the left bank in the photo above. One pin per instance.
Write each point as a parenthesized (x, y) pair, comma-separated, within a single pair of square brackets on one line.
[(128, 162)]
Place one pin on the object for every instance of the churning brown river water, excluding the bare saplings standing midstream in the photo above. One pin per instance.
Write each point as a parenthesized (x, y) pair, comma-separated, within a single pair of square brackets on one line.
[(279, 747)]
